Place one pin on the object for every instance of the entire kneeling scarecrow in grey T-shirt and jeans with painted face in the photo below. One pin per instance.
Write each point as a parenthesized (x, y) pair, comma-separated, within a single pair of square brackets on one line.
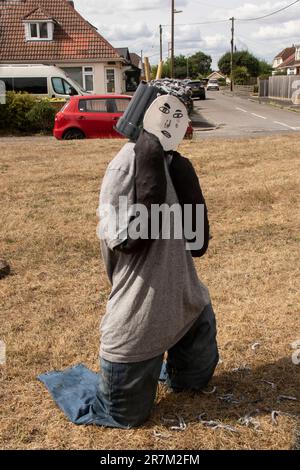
[(157, 303)]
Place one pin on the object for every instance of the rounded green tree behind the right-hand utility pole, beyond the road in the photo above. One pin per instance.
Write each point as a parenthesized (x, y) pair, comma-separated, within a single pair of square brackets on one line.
[(240, 59)]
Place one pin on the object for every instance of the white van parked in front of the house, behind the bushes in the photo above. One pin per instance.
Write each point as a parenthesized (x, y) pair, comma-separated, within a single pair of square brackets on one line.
[(40, 80)]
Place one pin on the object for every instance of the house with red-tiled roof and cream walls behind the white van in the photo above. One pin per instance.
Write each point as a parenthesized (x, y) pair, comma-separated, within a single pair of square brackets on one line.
[(52, 32)]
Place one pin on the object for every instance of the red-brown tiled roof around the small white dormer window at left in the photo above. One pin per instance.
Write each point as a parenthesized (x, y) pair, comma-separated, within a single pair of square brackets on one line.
[(74, 38)]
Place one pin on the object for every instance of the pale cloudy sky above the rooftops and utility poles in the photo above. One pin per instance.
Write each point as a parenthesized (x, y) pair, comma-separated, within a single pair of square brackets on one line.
[(135, 24)]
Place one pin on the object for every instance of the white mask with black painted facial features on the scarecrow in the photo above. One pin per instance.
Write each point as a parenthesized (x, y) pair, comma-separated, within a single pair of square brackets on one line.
[(168, 120)]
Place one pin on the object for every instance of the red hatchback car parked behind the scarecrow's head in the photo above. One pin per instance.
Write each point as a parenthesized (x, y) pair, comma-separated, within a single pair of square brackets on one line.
[(91, 117)]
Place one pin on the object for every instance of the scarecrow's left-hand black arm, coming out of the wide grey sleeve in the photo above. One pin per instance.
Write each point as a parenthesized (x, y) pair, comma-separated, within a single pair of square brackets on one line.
[(150, 185)]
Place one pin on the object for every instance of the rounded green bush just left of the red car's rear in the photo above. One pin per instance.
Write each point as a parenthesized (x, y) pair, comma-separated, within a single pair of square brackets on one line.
[(41, 116)]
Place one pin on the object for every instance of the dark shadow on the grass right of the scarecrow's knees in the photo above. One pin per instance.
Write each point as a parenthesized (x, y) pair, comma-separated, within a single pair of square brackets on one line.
[(251, 388)]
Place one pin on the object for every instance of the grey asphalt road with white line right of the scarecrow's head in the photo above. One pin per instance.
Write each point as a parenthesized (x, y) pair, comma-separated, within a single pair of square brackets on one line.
[(232, 116)]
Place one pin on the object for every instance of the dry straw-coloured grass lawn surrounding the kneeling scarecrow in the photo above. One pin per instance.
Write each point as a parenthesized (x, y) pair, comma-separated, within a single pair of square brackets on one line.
[(52, 303)]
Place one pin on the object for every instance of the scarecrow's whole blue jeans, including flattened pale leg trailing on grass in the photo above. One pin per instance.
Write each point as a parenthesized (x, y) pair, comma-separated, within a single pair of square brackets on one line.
[(123, 395)]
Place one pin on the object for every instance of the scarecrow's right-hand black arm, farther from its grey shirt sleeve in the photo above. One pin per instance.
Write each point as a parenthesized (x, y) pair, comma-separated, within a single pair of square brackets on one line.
[(188, 191)]
